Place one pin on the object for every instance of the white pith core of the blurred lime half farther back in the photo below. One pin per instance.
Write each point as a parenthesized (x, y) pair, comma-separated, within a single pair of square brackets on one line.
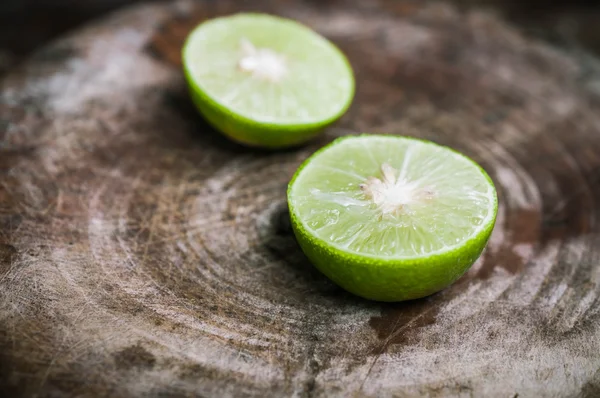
[(262, 63)]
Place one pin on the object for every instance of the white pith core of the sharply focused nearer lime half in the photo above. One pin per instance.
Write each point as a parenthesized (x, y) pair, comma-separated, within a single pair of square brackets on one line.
[(393, 193)]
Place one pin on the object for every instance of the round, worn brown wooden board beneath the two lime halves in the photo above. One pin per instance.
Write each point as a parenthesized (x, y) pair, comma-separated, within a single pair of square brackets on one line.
[(141, 254)]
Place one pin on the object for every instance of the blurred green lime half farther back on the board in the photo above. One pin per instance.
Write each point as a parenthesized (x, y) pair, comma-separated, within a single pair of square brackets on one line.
[(266, 81)]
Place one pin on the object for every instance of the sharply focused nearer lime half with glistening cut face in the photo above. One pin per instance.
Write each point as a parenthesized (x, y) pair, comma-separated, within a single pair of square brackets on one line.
[(391, 218)]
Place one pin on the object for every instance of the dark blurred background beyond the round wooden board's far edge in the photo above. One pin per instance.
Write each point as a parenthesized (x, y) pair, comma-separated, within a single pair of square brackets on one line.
[(28, 24)]
